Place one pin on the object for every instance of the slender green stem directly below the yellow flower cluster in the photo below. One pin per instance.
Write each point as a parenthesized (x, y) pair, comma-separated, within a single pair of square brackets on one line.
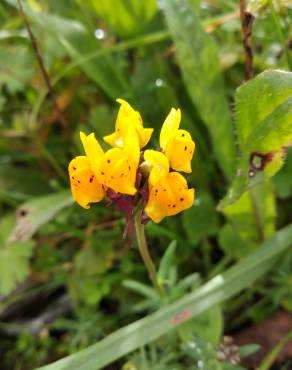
[(143, 249)]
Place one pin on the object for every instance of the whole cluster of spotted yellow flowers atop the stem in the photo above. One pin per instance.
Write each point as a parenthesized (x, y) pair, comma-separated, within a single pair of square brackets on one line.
[(97, 173)]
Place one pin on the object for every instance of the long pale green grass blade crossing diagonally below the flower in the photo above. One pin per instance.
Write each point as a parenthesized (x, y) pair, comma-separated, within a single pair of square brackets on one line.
[(216, 291)]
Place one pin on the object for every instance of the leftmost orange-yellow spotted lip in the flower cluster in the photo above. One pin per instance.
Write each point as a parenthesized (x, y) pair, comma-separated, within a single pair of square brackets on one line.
[(84, 184)]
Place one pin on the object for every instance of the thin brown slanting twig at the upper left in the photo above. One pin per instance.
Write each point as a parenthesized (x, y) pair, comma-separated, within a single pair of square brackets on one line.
[(41, 64)]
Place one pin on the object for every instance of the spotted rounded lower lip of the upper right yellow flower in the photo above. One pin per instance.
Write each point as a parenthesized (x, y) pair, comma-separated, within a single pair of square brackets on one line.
[(180, 150)]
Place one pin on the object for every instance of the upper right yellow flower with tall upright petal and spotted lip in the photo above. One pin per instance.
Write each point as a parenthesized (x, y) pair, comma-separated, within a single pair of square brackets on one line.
[(177, 144)]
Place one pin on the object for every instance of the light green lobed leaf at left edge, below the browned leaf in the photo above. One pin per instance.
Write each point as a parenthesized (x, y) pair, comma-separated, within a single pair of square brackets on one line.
[(14, 258)]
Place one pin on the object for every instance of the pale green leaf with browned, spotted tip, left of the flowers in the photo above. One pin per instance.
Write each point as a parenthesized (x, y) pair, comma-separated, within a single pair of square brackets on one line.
[(38, 211)]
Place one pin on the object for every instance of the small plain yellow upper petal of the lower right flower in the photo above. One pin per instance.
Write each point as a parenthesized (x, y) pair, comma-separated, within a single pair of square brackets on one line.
[(158, 164)]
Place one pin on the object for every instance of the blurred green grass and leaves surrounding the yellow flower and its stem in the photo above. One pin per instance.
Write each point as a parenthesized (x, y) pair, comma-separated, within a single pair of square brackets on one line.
[(67, 278)]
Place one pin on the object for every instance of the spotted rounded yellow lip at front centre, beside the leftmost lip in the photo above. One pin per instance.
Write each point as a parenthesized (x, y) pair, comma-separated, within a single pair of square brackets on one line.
[(118, 171)]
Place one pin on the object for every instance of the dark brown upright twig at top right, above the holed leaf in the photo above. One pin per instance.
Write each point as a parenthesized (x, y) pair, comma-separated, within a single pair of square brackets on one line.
[(246, 27)]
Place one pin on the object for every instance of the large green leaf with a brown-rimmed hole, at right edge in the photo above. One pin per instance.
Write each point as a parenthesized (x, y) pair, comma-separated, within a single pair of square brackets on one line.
[(264, 129)]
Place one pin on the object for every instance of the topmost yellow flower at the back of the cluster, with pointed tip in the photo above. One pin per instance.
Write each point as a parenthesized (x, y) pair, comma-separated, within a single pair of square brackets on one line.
[(128, 119)]
